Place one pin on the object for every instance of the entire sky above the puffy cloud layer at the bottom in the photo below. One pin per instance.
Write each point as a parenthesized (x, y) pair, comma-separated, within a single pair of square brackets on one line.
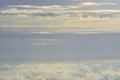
[(59, 29)]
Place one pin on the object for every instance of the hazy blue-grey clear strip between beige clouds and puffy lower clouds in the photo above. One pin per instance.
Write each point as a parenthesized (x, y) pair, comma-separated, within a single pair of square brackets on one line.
[(55, 47)]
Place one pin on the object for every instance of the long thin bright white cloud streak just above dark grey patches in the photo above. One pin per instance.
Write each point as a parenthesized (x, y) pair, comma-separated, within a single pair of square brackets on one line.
[(35, 11)]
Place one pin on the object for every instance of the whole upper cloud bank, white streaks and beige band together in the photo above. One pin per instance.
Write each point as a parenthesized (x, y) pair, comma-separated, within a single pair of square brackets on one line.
[(79, 17)]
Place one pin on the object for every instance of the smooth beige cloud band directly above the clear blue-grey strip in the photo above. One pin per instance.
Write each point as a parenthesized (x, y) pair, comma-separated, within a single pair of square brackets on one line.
[(61, 24)]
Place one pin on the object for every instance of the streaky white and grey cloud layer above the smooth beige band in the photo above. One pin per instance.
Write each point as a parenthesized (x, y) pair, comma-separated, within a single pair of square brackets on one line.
[(81, 10)]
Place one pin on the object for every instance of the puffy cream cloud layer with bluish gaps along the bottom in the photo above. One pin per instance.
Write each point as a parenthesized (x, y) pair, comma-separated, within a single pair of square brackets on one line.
[(62, 71)]
